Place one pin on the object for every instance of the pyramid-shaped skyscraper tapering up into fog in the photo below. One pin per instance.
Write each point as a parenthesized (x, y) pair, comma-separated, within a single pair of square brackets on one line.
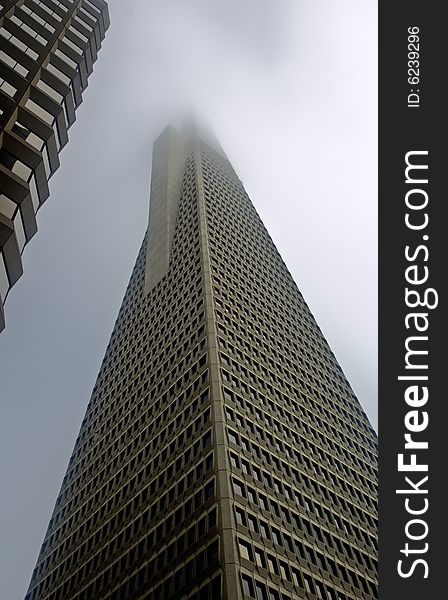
[(223, 453)]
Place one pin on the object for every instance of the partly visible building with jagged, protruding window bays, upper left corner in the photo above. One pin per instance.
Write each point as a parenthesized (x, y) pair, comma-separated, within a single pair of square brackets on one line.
[(47, 51)]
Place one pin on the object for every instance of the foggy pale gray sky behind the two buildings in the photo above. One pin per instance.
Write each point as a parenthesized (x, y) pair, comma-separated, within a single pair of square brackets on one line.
[(289, 89)]
